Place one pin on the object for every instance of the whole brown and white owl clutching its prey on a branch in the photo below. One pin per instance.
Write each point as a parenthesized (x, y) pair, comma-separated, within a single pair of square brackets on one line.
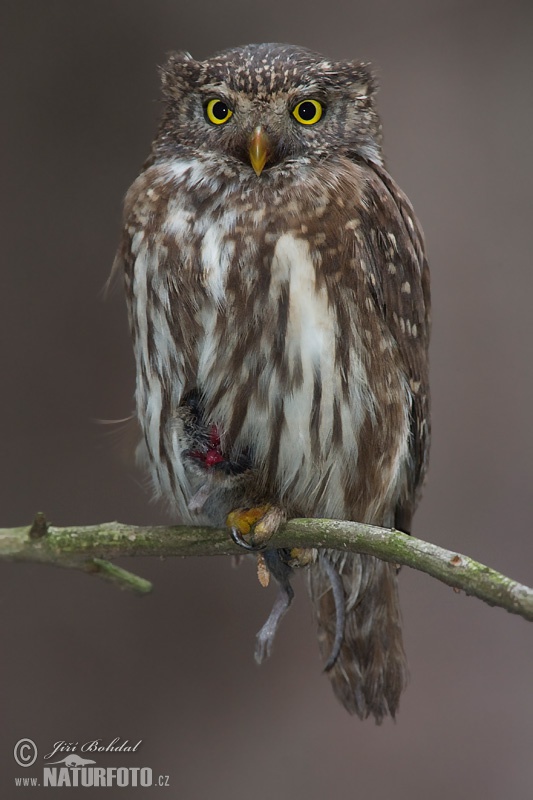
[(278, 297)]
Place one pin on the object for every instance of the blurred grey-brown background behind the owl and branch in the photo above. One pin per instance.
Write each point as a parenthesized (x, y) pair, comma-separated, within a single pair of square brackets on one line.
[(82, 660)]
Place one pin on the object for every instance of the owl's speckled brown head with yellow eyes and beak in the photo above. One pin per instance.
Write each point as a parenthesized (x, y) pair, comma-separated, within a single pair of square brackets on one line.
[(265, 107)]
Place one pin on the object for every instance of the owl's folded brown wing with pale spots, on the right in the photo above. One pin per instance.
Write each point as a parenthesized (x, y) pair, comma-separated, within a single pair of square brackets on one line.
[(398, 281)]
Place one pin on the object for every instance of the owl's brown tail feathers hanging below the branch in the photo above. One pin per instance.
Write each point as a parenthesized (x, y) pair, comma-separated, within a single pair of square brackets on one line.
[(370, 672)]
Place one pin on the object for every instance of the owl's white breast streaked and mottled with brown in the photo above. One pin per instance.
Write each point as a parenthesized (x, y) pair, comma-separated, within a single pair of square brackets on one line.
[(279, 337)]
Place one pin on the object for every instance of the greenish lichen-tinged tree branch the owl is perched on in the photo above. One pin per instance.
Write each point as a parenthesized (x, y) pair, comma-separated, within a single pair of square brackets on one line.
[(89, 548)]
